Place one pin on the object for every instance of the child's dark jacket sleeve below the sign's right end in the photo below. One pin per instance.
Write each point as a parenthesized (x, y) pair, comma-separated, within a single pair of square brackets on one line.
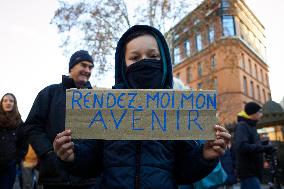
[(190, 164)]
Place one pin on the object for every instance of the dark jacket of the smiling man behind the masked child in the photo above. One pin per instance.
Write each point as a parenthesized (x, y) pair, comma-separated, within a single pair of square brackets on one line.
[(45, 120)]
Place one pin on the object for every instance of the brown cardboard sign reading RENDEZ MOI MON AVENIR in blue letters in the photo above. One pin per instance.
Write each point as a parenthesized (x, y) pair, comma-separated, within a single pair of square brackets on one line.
[(141, 114)]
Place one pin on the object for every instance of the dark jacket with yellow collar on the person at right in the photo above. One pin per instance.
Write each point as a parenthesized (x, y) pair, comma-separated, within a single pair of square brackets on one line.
[(248, 148)]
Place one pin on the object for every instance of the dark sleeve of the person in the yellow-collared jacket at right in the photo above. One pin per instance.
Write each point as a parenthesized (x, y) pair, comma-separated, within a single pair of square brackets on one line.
[(242, 141)]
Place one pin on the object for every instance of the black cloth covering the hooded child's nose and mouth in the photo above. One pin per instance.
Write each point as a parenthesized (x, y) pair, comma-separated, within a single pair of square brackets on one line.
[(145, 74)]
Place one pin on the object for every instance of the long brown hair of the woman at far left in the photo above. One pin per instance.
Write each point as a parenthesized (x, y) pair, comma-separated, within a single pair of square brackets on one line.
[(12, 118)]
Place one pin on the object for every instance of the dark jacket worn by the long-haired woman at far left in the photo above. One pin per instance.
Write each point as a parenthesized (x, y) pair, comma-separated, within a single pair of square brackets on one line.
[(13, 145)]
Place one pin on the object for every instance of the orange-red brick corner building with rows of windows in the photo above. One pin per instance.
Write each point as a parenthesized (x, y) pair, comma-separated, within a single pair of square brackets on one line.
[(221, 46)]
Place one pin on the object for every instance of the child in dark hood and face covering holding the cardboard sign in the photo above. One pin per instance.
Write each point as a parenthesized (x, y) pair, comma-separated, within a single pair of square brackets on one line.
[(142, 61)]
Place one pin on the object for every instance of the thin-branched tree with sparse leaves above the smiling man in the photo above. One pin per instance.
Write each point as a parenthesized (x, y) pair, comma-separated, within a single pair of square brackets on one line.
[(98, 24)]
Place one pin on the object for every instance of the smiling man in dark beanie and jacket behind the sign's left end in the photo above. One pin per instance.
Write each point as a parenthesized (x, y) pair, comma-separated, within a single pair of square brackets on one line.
[(47, 118)]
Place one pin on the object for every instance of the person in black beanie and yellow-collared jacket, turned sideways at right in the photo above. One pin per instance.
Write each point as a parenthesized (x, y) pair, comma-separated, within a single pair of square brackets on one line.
[(248, 148)]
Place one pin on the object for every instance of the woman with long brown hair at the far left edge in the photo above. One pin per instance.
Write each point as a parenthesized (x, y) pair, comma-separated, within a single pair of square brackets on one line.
[(12, 140)]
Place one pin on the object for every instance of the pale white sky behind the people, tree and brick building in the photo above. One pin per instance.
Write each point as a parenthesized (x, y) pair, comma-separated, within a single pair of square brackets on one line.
[(31, 58)]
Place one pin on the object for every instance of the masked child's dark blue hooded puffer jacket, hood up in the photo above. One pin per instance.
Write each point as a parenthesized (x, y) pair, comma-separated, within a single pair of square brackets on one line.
[(145, 164)]
